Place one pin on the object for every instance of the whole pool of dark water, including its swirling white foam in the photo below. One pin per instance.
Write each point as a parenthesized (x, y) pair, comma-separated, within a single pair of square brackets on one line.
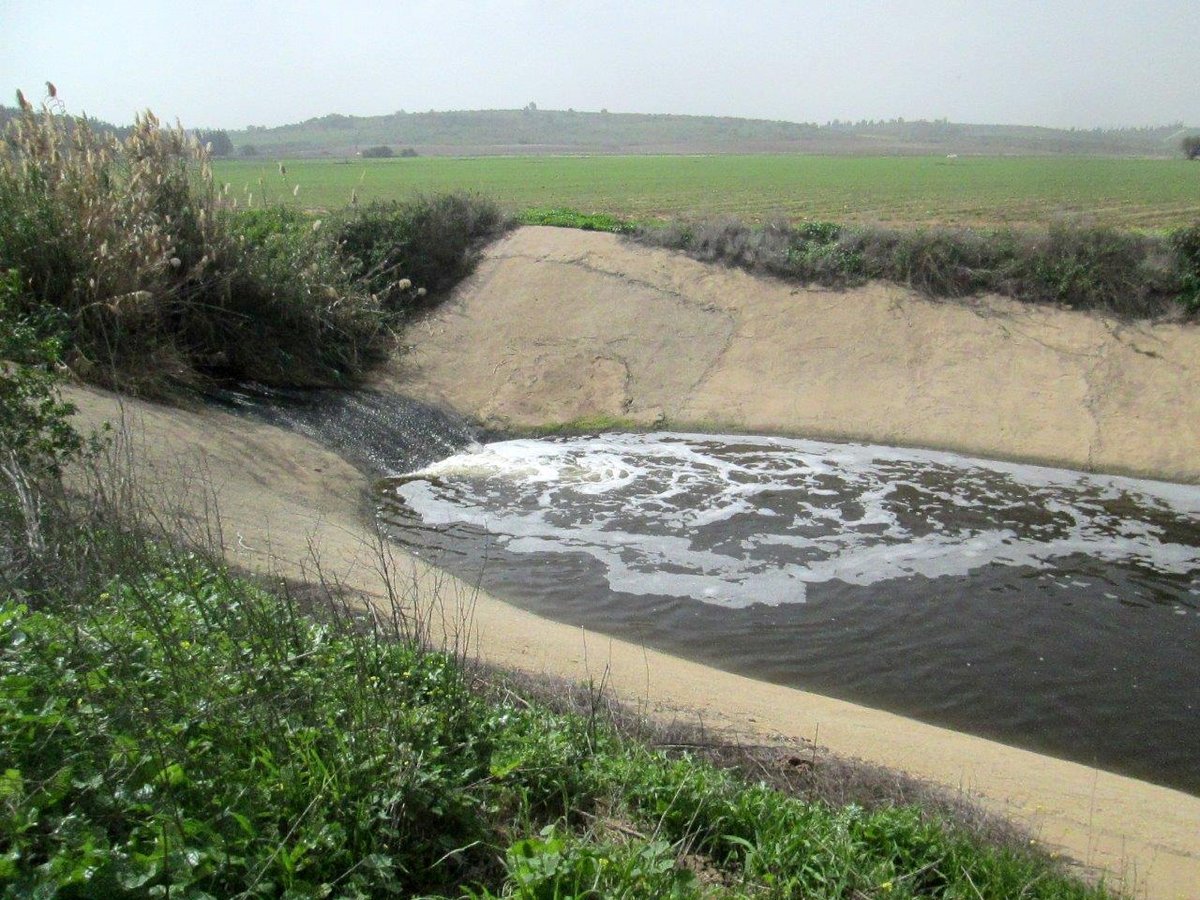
[(1041, 608)]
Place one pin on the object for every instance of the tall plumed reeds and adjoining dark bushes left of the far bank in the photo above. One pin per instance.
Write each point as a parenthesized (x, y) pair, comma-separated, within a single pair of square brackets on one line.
[(159, 281)]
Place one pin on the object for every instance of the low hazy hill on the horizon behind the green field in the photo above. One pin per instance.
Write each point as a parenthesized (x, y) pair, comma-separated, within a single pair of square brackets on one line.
[(548, 131)]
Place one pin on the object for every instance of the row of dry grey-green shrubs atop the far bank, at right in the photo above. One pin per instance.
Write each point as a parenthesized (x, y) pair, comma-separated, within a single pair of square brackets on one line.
[(1088, 268)]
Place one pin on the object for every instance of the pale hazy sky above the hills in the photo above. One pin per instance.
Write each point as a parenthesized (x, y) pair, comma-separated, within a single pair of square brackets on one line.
[(1065, 63)]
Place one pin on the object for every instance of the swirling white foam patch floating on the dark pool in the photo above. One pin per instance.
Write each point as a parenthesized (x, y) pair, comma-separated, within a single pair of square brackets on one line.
[(646, 506)]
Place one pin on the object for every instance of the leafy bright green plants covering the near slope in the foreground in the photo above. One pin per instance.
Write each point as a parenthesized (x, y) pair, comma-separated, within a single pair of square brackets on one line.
[(189, 730)]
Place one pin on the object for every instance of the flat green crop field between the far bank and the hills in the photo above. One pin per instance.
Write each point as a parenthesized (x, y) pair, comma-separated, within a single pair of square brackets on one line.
[(968, 191)]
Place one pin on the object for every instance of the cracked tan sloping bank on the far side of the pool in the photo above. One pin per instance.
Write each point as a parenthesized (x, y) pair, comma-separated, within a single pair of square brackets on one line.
[(562, 325)]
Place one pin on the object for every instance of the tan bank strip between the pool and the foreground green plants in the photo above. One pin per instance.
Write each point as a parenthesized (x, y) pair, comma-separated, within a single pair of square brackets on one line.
[(281, 501)]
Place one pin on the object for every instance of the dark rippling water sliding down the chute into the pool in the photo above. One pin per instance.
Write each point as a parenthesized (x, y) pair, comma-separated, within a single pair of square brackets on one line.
[(385, 434)]
